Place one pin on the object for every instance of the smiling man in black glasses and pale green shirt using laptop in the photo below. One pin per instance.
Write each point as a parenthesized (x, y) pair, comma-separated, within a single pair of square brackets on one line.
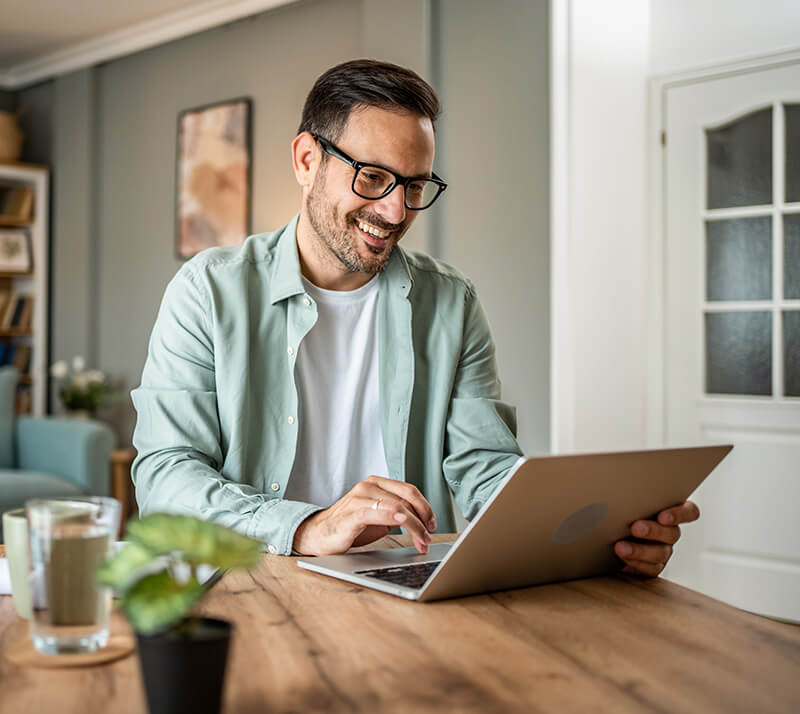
[(319, 386)]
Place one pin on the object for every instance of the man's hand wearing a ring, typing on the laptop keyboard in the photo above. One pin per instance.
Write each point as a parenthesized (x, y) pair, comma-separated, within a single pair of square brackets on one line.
[(363, 515)]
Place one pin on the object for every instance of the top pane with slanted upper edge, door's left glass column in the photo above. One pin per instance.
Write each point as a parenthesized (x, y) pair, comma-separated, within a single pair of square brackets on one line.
[(739, 157)]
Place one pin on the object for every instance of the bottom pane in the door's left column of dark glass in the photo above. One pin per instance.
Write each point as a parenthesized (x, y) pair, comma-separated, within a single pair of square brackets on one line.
[(739, 352)]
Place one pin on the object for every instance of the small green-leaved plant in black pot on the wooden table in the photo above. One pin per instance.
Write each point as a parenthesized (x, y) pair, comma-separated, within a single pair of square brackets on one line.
[(157, 577)]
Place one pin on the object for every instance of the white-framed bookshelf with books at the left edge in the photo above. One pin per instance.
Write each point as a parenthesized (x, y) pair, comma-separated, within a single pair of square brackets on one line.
[(24, 280)]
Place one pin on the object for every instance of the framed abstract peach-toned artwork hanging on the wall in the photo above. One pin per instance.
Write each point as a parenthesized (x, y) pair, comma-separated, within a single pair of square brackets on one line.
[(213, 176)]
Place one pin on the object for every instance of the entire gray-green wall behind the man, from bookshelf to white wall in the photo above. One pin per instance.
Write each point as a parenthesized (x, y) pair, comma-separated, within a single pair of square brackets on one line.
[(109, 134)]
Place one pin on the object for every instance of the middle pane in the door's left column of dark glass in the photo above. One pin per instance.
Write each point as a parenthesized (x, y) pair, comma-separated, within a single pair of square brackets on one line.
[(739, 259)]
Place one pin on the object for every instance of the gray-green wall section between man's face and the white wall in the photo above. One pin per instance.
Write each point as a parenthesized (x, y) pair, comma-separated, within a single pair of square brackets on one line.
[(493, 60)]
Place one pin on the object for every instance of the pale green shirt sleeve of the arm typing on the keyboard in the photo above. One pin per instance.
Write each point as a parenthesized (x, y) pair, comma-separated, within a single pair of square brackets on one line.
[(180, 456)]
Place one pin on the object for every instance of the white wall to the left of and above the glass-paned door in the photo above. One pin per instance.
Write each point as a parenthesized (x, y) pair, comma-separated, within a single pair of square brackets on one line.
[(603, 56)]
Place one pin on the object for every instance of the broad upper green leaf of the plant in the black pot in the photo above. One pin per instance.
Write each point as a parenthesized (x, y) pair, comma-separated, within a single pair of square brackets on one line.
[(198, 541)]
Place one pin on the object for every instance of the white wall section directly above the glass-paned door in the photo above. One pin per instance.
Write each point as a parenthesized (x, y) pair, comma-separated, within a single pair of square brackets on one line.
[(685, 34)]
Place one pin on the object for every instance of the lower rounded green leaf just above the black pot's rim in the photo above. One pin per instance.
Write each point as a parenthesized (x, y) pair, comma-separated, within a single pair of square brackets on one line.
[(158, 601)]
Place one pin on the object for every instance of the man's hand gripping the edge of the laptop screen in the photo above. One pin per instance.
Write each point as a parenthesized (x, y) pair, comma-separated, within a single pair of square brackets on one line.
[(650, 558)]
